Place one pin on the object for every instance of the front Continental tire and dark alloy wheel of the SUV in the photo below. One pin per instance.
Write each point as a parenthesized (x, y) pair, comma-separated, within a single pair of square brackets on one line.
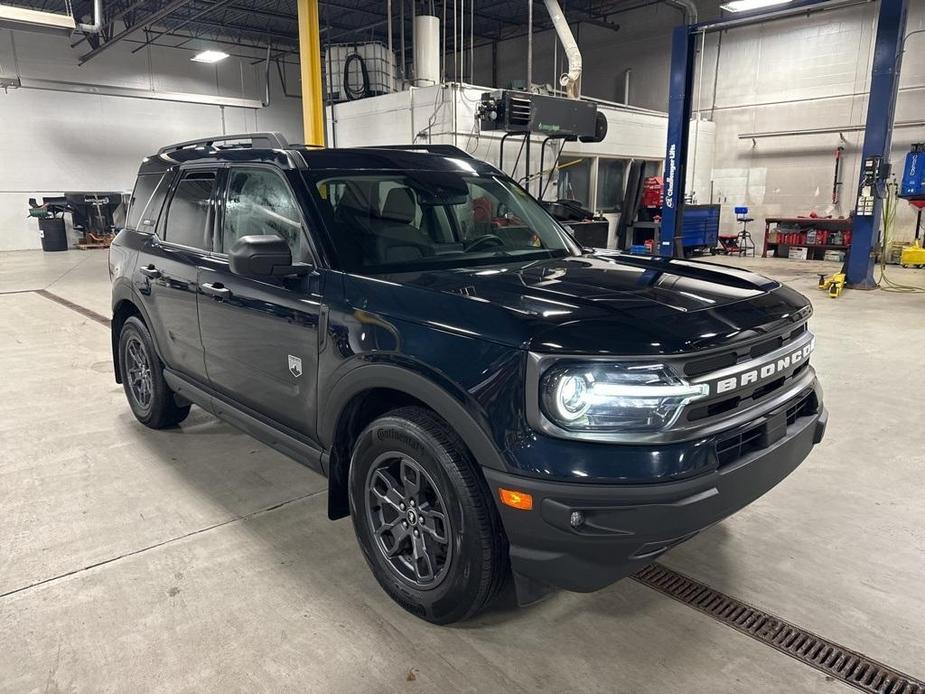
[(412, 448)]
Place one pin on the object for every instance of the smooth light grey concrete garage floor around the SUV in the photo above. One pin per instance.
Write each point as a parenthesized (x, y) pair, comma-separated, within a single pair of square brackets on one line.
[(199, 560)]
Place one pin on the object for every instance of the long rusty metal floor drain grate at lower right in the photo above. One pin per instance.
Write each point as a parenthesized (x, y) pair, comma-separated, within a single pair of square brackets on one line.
[(836, 661)]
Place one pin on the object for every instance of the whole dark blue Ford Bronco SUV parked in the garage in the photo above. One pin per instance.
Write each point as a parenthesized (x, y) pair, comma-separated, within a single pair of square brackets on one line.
[(487, 398)]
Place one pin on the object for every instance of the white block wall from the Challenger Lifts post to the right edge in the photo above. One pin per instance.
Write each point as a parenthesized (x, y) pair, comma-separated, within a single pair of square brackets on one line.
[(797, 74)]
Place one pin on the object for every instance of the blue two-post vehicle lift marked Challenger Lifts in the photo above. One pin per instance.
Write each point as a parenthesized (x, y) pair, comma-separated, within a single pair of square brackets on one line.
[(877, 137)]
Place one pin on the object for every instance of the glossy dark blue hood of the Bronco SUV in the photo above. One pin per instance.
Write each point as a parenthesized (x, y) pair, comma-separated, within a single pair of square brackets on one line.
[(594, 304)]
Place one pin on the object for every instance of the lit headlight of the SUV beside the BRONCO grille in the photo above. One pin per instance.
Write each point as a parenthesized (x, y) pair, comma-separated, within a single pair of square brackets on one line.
[(615, 397)]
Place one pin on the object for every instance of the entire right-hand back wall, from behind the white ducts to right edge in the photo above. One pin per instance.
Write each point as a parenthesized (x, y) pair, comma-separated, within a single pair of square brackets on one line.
[(806, 72)]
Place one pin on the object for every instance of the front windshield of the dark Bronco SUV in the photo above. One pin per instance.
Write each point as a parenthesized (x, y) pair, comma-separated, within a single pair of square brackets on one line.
[(396, 222)]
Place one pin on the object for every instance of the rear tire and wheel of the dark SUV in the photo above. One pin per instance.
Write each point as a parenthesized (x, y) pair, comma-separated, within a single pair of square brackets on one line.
[(148, 395)]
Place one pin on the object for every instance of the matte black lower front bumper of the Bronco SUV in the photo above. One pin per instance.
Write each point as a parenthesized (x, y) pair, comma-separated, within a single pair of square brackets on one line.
[(627, 526)]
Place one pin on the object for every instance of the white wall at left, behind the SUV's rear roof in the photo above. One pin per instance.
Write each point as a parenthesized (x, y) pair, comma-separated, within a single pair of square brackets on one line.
[(51, 141)]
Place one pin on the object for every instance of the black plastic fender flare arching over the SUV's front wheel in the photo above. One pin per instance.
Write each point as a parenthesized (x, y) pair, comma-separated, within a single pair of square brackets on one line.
[(453, 410)]
